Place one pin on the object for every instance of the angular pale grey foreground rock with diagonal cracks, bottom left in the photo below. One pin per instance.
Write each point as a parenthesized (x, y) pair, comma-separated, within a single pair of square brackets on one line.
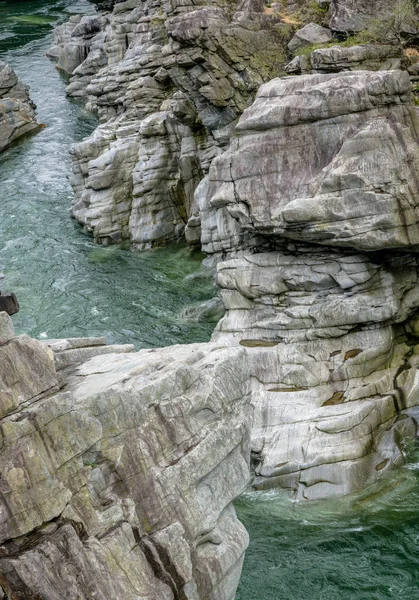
[(121, 484)]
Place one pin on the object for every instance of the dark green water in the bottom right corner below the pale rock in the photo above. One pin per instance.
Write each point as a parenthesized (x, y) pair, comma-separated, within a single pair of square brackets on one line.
[(363, 547)]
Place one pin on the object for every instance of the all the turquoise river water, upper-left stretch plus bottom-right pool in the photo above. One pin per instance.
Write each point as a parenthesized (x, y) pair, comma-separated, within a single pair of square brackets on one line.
[(360, 548)]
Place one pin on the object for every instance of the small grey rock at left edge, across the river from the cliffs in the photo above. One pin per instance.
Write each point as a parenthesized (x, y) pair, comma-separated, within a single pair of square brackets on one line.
[(17, 112)]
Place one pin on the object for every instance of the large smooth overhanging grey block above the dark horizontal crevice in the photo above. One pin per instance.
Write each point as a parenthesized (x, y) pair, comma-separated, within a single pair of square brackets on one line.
[(330, 159)]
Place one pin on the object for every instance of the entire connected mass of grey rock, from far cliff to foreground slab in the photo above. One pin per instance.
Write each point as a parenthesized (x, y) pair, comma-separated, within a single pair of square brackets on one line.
[(305, 195)]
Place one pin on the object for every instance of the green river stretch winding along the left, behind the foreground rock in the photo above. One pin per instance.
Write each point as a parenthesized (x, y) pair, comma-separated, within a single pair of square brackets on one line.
[(67, 285)]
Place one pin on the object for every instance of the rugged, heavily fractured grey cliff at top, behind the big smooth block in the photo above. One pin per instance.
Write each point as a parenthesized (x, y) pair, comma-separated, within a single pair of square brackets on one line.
[(168, 81)]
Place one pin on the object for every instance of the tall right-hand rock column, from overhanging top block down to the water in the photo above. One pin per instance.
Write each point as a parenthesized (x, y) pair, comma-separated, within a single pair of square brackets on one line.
[(313, 208)]
